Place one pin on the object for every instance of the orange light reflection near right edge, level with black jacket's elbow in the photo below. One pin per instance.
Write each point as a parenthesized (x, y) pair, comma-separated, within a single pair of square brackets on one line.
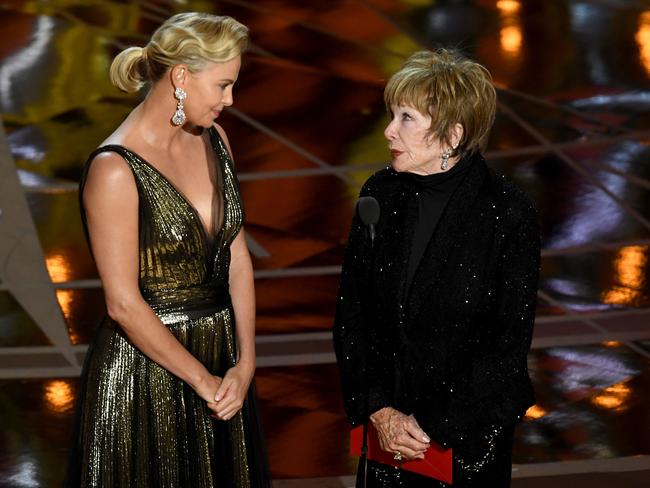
[(630, 276)]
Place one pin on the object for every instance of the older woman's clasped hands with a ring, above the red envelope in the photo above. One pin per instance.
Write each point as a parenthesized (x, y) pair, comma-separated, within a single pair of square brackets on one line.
[(400, 433)]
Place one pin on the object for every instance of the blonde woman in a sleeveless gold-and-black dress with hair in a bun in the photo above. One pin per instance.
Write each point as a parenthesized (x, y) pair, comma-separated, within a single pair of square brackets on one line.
[(165, 397)]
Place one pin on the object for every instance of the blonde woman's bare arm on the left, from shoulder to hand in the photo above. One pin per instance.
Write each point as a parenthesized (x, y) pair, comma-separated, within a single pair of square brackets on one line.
[(110, 199)]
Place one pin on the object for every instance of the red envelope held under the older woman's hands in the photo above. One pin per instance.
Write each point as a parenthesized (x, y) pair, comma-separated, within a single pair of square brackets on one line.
[(436, 464)]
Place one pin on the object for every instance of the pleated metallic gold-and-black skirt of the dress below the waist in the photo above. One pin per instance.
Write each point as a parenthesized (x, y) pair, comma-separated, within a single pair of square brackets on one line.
[(137, 425)]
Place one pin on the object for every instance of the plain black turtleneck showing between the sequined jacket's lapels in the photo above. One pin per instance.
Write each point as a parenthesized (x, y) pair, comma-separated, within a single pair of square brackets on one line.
[(433, 192)]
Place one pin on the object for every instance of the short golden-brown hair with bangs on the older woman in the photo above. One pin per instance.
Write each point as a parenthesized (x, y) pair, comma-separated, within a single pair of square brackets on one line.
[(451, 89)]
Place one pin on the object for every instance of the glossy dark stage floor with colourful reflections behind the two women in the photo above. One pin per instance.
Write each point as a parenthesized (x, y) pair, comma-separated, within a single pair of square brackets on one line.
[(572, 130)]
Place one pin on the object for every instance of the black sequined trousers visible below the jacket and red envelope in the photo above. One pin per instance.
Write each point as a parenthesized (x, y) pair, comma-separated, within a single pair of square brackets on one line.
[(488, 469)]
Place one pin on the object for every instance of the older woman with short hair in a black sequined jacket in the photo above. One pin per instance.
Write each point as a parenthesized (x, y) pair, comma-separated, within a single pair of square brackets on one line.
[(434, 322)]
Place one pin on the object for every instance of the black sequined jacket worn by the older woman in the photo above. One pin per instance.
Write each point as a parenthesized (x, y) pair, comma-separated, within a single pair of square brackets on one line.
[(451, 349)]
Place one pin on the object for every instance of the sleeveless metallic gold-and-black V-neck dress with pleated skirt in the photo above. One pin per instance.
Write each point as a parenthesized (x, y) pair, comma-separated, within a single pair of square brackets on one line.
[(137, 425)]
